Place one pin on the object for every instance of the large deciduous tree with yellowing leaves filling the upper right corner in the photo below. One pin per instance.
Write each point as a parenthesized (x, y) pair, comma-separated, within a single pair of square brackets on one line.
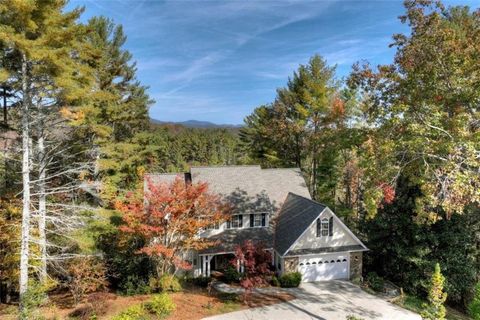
[(424, 110)]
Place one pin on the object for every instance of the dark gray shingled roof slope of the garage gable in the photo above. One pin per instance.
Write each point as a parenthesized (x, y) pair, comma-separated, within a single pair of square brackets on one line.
[(296, 215)]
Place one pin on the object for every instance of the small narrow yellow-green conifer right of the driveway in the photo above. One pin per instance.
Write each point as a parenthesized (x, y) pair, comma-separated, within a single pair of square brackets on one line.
[(435, 310)]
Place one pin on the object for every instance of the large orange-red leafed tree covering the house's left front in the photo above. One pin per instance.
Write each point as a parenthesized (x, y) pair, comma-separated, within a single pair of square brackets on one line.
[(169, 217)]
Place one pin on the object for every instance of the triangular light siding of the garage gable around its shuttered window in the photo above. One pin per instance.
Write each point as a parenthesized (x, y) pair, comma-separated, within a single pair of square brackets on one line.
[(310, 240)]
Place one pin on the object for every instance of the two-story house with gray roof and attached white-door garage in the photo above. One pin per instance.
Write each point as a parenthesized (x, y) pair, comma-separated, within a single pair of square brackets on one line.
[(274, 207)]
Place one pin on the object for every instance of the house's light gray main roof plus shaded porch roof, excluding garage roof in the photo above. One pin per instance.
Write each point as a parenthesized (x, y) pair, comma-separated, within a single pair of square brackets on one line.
[(250, 189)]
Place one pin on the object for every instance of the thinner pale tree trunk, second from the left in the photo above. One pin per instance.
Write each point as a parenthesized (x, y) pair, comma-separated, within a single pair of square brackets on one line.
[(42, 205)]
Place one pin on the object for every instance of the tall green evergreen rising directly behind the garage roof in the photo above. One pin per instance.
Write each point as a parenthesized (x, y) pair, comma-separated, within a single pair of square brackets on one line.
[(307, 126)]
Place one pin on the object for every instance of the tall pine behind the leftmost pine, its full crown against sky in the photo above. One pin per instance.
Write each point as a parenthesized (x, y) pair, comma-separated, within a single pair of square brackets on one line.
[(119, 110)]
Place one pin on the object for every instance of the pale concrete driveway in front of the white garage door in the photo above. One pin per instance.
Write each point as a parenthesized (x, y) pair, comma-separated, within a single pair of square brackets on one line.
[(332, 300)]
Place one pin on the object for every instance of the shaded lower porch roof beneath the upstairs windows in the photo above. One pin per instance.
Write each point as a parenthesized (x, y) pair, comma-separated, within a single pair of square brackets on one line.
[(228, 240)]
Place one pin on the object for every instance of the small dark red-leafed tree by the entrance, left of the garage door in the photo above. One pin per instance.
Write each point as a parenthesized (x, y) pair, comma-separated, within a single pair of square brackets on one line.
[(256, 262)]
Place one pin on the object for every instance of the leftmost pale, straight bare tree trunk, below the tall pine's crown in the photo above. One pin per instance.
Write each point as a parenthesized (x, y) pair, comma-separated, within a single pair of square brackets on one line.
[(24, 252)]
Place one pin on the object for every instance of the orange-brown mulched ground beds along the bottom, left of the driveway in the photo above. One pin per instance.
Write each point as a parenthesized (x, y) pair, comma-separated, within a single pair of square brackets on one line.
[(192, 303)]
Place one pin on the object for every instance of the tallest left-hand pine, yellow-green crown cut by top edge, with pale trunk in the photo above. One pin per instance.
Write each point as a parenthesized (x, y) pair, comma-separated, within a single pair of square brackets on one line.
[(50, 71)]
